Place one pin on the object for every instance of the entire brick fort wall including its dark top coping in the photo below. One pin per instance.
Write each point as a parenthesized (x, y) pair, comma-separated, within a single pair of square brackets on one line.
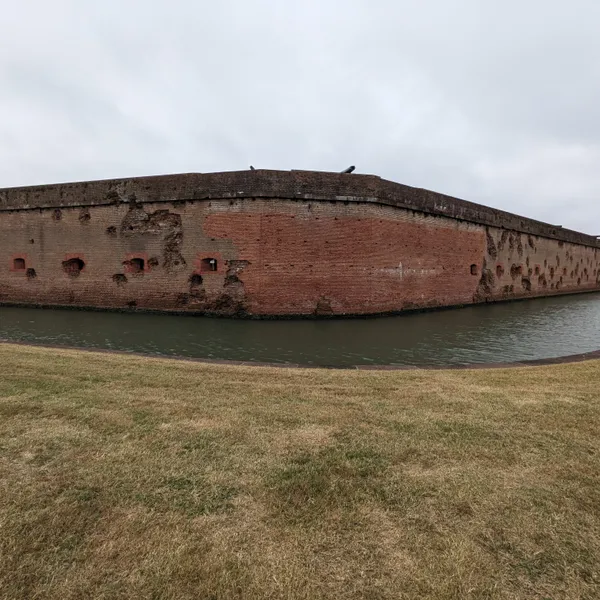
[(270, 243)]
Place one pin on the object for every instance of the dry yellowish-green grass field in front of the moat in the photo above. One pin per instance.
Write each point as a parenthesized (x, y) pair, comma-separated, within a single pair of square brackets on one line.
[(126, 477)]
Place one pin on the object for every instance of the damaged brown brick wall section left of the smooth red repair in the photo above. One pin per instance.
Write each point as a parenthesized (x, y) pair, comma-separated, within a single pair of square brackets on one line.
[(129, 255)]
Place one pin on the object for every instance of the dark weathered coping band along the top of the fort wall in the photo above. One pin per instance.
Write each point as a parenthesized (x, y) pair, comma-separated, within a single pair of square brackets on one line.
[(285, 185)]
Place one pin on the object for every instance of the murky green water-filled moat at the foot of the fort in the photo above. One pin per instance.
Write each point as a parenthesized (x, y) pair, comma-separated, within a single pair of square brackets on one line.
[(542, 328)]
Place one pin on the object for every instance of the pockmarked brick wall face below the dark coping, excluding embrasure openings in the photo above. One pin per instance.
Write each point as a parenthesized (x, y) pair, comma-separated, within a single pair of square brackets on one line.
[(278, 257)]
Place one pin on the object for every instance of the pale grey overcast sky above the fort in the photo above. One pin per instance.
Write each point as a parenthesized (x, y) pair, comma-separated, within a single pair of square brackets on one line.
[(494, 101)]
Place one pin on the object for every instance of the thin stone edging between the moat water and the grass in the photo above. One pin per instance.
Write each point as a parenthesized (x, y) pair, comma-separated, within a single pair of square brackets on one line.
[(572, 358)]
